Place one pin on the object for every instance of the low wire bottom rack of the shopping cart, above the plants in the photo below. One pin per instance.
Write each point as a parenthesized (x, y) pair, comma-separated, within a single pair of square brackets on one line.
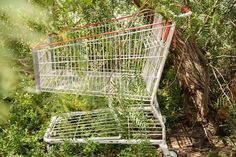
[(103, 127)]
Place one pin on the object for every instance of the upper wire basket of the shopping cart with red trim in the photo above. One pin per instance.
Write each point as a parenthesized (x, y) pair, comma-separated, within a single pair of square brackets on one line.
[(119, 56)]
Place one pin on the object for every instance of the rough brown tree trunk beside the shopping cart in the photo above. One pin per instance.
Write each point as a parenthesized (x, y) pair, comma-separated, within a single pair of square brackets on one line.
[(193, 75)]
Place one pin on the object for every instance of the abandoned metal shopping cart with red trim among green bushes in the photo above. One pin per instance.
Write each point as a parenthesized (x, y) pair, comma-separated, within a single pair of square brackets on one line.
[(120, 59)]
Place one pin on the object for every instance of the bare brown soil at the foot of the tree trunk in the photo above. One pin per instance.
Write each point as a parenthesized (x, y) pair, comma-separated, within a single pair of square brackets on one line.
[(183, 140)]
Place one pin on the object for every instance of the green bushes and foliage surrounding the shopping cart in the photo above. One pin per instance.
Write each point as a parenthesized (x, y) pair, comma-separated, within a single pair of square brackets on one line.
[(25, 114)]
